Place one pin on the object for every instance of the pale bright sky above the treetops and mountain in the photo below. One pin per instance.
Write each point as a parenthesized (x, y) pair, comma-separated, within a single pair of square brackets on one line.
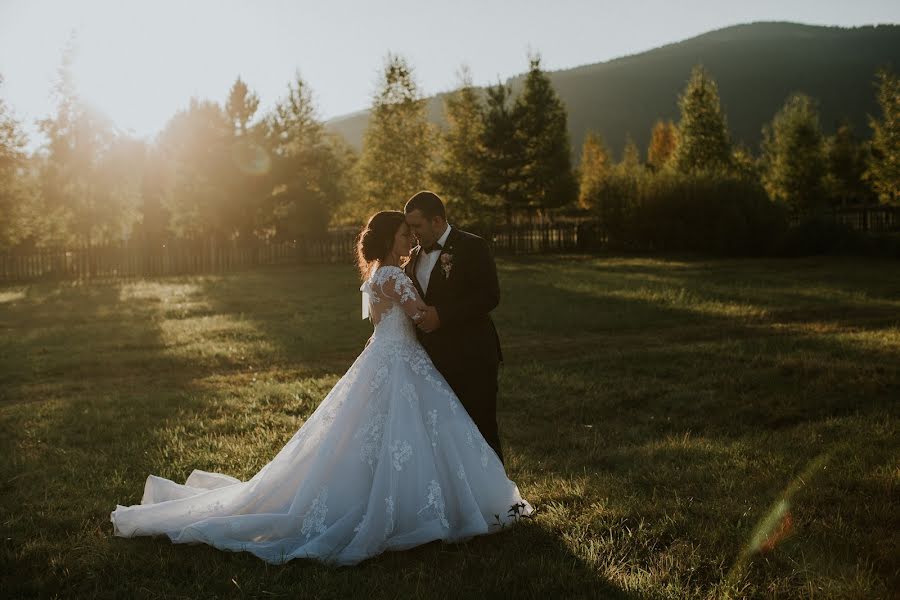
[(140, 62)]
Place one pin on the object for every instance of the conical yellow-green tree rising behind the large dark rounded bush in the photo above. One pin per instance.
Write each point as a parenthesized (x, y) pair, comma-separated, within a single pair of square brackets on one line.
[(703, 140)]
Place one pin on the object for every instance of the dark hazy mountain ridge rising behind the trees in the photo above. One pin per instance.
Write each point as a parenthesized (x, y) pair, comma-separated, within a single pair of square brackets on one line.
[(756, 66)]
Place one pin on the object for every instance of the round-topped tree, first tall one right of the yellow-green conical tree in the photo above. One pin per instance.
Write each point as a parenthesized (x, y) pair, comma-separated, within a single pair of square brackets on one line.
[(794, 156)]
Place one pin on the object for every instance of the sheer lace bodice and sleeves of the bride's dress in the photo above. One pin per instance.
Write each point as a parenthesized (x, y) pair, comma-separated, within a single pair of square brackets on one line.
[(392, 302)]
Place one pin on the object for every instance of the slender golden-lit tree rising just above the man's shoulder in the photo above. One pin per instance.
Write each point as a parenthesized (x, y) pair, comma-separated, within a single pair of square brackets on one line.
[(457, 170)]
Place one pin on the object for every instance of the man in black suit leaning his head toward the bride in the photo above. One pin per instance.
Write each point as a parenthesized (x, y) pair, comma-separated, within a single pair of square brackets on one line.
[(456, 276)]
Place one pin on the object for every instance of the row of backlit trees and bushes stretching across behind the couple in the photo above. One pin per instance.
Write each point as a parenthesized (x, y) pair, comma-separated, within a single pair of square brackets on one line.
[(229, 173)]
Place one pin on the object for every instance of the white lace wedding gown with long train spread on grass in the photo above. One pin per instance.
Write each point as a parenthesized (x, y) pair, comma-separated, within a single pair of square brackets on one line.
[(389, 460)]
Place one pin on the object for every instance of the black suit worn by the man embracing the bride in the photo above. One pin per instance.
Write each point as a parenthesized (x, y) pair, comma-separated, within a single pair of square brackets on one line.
[(466, 347)]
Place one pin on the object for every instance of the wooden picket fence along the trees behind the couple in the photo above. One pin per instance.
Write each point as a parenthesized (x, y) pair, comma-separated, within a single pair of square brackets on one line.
[(179, 258)]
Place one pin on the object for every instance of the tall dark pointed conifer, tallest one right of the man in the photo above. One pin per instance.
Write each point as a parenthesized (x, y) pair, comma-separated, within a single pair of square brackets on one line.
[(547, 177)]
